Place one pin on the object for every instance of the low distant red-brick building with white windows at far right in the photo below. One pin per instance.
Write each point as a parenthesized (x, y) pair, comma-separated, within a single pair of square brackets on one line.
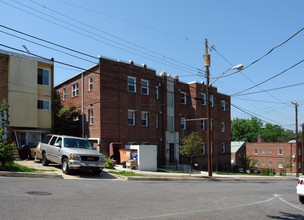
[(276, 156)]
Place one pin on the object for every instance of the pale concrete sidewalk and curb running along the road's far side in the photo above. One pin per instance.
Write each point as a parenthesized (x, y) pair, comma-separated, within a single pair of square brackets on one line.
[(54, 171)]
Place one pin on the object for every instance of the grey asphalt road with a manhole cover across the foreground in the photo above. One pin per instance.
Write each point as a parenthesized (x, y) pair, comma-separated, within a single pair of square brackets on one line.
[(26, 198)]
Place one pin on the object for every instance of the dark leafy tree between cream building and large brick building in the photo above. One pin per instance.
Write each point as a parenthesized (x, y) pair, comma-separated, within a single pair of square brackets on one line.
[(64, 122)]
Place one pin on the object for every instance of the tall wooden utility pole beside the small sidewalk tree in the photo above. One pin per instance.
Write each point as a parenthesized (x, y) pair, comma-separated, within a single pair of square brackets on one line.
[(207, 65)]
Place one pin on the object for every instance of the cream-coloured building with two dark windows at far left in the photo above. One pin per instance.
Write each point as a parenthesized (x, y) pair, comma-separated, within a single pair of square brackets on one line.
[(26, 82)]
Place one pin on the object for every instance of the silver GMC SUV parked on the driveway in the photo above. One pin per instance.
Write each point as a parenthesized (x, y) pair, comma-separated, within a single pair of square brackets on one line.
[(71, 153)]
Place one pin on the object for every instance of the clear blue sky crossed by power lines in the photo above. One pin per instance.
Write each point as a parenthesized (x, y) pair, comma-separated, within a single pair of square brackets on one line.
[(170, 36)]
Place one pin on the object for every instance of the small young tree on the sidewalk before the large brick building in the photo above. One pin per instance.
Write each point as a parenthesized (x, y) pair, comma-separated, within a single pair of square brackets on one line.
[(191, 147)]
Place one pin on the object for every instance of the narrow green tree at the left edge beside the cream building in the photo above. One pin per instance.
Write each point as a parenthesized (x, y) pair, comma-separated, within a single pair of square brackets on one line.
[(6, 149)]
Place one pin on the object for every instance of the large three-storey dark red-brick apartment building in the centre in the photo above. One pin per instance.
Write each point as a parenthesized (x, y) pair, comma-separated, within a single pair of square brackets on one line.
[(123, 104)]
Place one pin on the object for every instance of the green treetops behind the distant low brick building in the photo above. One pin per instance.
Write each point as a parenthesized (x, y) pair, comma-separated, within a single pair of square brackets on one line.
[(248, 130)]
